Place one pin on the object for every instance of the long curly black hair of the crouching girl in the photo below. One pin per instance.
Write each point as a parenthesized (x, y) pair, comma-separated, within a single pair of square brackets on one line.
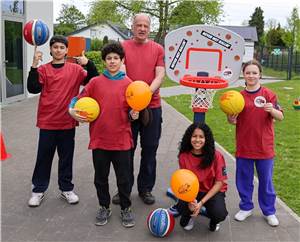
[(208, 150)]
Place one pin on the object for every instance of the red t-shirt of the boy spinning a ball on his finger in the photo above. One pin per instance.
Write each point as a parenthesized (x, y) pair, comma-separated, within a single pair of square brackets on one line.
[(59, 86)]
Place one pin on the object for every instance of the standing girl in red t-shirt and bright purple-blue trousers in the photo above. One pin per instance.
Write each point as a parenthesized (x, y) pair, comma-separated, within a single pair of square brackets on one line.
[(255, 144)]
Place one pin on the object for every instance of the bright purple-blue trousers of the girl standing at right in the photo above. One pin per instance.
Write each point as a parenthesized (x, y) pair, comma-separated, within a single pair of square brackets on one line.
[(244, 183)]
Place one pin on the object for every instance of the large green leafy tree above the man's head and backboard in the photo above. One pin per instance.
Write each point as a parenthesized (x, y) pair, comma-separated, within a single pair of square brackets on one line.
[(166, 13)]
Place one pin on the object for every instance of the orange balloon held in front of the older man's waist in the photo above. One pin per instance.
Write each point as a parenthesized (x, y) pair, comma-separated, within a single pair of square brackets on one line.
[(138, 95)]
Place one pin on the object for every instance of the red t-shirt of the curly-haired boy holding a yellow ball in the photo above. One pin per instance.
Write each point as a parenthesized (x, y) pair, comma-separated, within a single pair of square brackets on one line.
[(112, 129)]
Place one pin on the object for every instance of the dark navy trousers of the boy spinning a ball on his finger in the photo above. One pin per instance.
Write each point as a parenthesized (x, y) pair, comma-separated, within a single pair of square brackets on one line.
[(49, 141)]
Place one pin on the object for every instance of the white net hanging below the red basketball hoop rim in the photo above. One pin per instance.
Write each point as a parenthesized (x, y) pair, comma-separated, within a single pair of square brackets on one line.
[(202, 99)]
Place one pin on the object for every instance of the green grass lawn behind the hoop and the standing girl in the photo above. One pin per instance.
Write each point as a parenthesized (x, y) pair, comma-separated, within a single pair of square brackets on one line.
[(287, 137)]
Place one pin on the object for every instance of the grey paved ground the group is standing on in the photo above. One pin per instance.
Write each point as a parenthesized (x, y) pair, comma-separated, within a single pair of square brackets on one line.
[(55, 220)]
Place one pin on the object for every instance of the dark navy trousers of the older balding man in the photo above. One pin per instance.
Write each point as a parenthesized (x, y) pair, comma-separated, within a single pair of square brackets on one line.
[(149, 138)]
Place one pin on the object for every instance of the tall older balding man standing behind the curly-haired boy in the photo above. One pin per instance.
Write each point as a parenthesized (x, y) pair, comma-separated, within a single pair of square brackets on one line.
[(144, 60)]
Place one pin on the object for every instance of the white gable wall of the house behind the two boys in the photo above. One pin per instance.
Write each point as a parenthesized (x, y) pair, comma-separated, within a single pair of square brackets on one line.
[(99, 32)]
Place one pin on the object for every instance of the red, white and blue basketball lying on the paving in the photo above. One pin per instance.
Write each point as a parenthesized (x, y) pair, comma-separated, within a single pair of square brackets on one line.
[(160, 222)]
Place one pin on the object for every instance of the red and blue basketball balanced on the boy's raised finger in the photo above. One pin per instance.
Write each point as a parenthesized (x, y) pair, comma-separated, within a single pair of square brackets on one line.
[(36, 32)]
